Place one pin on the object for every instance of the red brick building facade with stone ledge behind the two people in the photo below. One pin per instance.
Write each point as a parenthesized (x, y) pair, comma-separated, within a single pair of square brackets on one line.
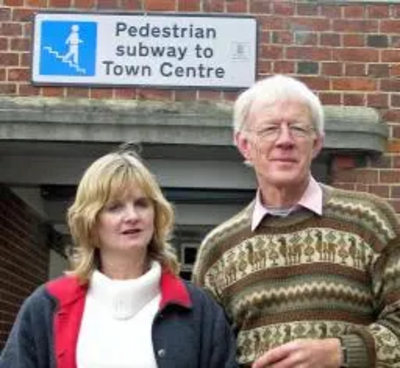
[(346, 51)]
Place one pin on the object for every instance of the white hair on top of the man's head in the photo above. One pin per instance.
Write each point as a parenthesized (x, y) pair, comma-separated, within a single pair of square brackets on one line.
[(275, 88)]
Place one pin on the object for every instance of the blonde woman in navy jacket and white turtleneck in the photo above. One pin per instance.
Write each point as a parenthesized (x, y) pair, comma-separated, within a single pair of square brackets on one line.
[(122, 305)]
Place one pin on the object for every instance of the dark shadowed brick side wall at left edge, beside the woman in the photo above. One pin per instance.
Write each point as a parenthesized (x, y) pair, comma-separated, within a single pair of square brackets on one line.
[(24, 257)]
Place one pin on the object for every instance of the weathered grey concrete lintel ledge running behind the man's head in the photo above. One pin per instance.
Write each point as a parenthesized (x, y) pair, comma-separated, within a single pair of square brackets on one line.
[(357, 129)]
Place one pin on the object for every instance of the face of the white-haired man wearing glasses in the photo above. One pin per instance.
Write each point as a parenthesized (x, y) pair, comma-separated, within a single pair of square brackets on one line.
[(280, 141)]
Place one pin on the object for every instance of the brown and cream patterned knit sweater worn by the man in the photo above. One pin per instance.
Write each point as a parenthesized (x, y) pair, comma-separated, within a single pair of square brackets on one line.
[(310, 276)]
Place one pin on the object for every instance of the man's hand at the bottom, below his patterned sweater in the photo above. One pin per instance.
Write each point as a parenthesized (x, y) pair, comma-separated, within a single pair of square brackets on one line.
[(307, 353)]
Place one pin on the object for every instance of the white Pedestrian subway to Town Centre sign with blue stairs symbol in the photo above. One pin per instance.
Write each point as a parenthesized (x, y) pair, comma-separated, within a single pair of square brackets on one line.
[(144, 50)]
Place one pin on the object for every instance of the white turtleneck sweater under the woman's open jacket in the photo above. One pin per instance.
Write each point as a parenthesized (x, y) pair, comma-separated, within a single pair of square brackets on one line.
[(117, 322)]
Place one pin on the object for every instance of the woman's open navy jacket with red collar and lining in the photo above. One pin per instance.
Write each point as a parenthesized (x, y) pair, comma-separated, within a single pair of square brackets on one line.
[(189, 330)]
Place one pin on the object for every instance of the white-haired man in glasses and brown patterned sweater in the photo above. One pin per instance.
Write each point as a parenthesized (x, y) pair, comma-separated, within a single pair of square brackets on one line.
[(308, 274)]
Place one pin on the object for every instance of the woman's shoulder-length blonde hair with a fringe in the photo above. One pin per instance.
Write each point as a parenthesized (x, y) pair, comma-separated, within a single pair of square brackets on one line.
[(105, 180)]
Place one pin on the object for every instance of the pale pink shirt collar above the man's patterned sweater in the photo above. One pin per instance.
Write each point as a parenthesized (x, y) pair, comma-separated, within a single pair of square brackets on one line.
[(311, 200)]
